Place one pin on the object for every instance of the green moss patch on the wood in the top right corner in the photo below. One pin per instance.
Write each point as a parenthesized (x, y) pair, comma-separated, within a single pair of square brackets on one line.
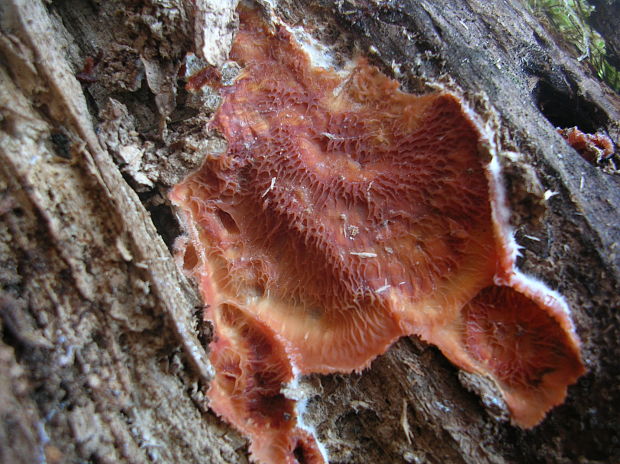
[(569, 18)]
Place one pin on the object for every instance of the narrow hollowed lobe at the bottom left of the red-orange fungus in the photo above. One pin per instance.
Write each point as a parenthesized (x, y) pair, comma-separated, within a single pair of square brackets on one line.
[(251, 367)]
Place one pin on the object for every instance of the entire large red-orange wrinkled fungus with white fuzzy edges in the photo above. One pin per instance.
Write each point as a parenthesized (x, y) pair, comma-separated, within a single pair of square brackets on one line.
[(344, 215)]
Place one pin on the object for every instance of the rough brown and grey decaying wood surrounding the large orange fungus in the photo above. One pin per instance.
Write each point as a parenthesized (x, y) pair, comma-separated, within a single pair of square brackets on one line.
[(103, 347)]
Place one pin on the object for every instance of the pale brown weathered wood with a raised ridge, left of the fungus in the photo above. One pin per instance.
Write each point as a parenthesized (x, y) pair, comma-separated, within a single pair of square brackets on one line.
[(101, 359)]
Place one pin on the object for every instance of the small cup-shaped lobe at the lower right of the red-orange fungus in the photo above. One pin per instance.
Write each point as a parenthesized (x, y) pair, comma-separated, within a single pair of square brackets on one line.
[(525, 350)]
